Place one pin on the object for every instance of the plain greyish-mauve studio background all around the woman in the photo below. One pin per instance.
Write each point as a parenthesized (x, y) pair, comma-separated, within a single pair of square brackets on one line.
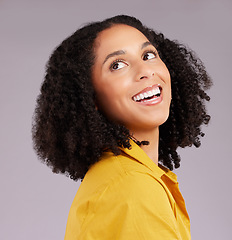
[(34, 203)]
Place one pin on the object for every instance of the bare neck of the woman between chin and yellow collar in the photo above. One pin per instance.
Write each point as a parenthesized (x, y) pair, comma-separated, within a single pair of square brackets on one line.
[(153, 137)]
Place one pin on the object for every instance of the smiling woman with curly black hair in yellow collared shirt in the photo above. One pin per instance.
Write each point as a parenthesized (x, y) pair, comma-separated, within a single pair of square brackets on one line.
[(118, 99)]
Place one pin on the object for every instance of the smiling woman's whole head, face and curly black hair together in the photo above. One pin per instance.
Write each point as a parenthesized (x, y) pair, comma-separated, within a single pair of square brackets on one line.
[(87, 91)]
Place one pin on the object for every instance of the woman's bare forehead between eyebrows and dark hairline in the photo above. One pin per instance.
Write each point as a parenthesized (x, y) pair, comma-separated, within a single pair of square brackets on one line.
[(118, 37)]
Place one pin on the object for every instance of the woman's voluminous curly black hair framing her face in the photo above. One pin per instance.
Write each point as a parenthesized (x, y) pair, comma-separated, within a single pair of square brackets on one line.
[(70, 134)]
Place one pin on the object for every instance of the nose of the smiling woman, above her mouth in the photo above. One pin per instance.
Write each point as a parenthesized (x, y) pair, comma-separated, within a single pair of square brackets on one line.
[(144, 71)]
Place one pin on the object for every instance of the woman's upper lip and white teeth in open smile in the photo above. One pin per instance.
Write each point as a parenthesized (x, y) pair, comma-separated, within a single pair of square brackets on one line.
[(148, 94)]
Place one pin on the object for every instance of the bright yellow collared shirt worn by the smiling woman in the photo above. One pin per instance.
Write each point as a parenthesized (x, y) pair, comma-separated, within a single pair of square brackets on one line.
[(128, 197)]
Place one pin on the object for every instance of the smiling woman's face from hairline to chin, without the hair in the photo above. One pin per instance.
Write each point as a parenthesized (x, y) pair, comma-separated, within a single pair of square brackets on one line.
[(132, 83)]
